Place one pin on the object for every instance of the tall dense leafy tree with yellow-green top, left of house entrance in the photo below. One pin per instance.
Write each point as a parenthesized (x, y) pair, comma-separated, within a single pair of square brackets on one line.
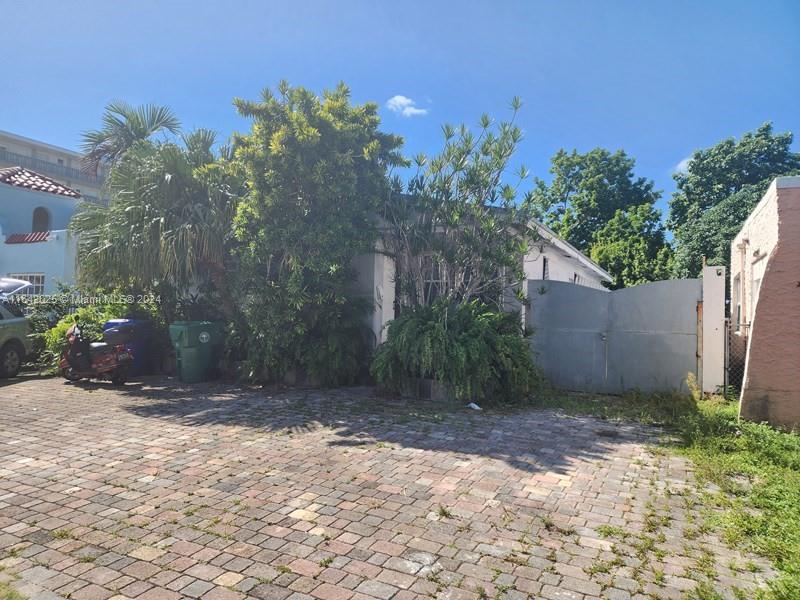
[(316, 172)]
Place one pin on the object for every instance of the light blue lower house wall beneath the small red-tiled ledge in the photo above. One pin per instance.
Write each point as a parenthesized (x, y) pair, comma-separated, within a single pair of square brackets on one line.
[(54, 258)]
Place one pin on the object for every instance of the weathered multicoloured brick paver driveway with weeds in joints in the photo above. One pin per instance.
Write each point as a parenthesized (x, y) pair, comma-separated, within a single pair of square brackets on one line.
[(157, 491)]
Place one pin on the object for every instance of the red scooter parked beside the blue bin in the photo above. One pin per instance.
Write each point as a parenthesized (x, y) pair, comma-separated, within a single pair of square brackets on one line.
[(108, 359)]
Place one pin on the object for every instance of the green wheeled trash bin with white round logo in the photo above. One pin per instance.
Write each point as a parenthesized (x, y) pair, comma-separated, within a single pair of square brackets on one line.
[(197, 349)]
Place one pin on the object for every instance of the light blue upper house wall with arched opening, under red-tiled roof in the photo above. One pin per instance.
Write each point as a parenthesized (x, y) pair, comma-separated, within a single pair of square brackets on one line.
[(17, 206)]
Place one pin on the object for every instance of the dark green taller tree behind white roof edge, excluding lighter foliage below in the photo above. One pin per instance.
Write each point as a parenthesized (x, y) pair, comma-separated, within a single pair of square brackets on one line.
[(587, 190)]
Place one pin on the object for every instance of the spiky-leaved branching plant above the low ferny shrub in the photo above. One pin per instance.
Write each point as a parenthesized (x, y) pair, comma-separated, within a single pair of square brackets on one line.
[(457, 231)]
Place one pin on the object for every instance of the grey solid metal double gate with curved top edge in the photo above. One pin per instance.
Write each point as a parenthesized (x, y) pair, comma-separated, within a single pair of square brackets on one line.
[(644, 337)]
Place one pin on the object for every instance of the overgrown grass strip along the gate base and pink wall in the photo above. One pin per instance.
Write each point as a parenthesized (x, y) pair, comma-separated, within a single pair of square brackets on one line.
[(755, 467)]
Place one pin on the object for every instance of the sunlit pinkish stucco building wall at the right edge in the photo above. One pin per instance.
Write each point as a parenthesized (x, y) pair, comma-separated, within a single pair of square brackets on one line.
[(765, 274)]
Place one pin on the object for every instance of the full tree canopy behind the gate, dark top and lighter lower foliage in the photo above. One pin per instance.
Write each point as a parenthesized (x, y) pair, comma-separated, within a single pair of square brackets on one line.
[(596, 203)]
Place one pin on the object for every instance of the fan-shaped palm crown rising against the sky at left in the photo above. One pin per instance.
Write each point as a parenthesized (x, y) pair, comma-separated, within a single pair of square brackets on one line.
[(123, 126)]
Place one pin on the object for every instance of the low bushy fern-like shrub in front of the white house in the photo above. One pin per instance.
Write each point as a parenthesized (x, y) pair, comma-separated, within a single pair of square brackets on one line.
[(479, 353)]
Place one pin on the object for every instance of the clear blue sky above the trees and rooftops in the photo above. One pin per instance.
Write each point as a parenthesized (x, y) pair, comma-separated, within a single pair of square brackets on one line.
[(658, 79)]
